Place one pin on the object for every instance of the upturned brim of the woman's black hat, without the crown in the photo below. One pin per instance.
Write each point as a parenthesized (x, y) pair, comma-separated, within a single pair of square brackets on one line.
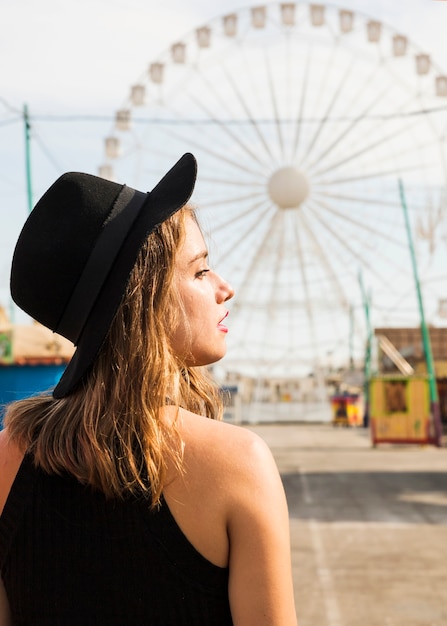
[(168, 196)]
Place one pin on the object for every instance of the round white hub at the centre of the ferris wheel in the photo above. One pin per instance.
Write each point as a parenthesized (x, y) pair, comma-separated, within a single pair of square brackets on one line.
[(288, 187)]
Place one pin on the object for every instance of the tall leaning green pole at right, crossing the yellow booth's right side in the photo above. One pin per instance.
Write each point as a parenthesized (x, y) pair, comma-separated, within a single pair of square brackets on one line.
[(434, 399)]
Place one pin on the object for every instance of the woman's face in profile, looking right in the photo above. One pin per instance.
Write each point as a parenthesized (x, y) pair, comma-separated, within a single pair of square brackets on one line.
[(199, 338)]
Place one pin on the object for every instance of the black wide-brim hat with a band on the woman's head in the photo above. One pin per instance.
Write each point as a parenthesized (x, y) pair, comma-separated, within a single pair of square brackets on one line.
[(75, 253)]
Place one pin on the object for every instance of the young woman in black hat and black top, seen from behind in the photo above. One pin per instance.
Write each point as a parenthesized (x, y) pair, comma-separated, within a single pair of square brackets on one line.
[(121, 501)]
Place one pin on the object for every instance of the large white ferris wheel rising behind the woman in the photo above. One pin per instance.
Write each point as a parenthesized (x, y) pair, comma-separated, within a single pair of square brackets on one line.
[(303, 118)]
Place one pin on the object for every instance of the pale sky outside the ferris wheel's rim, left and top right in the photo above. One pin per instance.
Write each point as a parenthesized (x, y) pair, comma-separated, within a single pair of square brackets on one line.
[(75, 63)]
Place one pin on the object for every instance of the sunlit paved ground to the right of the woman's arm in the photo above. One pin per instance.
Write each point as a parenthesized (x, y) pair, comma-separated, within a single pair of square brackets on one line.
[(368, 526)]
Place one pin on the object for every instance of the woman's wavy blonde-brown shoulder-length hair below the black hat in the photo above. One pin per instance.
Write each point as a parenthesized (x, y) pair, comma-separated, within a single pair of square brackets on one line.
[(109, 433)]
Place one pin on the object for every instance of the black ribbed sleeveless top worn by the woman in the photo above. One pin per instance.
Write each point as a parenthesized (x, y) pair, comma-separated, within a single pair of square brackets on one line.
[(71, 557)]
